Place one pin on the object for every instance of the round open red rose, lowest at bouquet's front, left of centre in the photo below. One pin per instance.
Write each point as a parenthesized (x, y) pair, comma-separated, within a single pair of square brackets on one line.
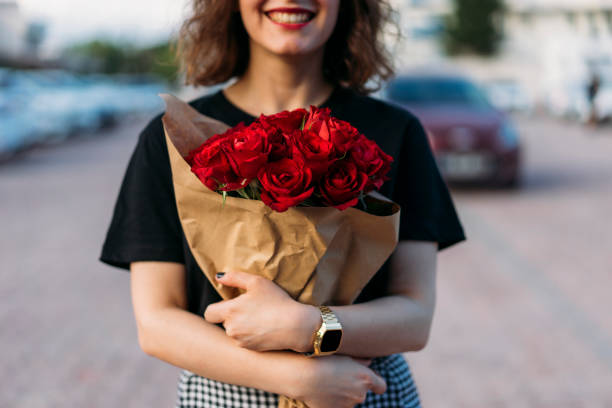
[(285, 183)]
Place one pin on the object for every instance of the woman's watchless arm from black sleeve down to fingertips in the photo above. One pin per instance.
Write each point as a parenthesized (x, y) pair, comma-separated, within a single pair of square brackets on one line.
[(168, 332)]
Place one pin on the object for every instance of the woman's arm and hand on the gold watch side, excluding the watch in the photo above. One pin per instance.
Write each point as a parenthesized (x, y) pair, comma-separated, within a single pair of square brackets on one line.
[(266, 318)]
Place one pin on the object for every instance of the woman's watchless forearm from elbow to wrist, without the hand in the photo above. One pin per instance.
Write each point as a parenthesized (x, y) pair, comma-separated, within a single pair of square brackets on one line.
[(188, 341)]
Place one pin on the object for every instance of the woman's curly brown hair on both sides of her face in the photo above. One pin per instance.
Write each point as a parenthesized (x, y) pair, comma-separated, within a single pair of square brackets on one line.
[(213, 45)]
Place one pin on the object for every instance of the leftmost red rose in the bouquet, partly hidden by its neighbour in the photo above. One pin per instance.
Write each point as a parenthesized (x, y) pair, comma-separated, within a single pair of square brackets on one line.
[(212, 166)]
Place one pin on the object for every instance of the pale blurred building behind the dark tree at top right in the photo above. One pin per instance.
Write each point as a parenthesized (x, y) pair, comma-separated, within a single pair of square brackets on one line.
[(548, 43)]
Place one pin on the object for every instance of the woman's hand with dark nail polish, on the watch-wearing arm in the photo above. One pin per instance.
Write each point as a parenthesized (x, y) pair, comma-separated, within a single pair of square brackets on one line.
[(265, 317)]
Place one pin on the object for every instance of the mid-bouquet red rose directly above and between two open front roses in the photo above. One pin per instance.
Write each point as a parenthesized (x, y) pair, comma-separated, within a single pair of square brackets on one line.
[(317, 152)]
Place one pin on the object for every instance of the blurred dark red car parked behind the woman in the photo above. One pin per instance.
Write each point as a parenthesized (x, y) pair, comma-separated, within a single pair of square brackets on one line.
[(472, 141)]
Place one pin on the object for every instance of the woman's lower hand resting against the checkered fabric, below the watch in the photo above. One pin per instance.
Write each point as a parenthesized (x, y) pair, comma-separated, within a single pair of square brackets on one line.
[(338, 381)]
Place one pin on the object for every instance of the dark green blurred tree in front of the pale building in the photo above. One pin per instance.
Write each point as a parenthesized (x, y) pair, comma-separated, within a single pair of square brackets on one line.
[(474, 27)]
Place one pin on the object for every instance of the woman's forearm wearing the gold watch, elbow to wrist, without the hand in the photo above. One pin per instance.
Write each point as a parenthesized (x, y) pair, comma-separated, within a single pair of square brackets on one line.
[(391, 324)]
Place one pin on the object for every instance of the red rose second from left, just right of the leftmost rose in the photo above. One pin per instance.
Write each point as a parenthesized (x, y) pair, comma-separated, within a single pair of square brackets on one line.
[(247, 150)]
